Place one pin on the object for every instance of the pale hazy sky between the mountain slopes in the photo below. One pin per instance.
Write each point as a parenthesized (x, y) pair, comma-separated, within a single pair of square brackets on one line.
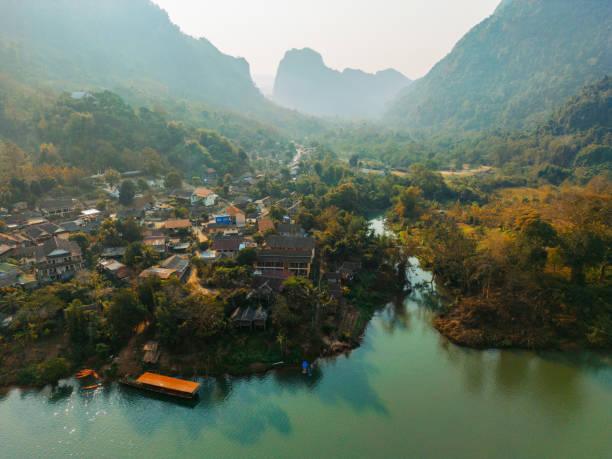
[(408, 35)]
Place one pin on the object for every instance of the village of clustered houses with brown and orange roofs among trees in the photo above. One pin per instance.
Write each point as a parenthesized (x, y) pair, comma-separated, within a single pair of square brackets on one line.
[(197, 235)]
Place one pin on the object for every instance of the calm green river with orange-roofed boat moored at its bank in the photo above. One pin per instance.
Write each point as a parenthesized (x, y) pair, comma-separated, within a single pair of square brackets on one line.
[(406, 392)]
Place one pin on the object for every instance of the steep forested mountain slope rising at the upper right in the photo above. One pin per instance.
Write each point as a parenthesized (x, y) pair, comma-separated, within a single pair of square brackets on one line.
[(514, 68)]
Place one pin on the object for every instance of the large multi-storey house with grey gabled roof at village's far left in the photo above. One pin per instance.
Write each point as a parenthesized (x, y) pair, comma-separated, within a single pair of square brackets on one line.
[(57, 259)]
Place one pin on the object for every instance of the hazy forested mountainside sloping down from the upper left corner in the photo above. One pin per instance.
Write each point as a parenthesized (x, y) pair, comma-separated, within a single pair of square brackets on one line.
[(130, 47)]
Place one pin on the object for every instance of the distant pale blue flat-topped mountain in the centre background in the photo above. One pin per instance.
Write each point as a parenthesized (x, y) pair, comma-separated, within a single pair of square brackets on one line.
[(304, 83)]
